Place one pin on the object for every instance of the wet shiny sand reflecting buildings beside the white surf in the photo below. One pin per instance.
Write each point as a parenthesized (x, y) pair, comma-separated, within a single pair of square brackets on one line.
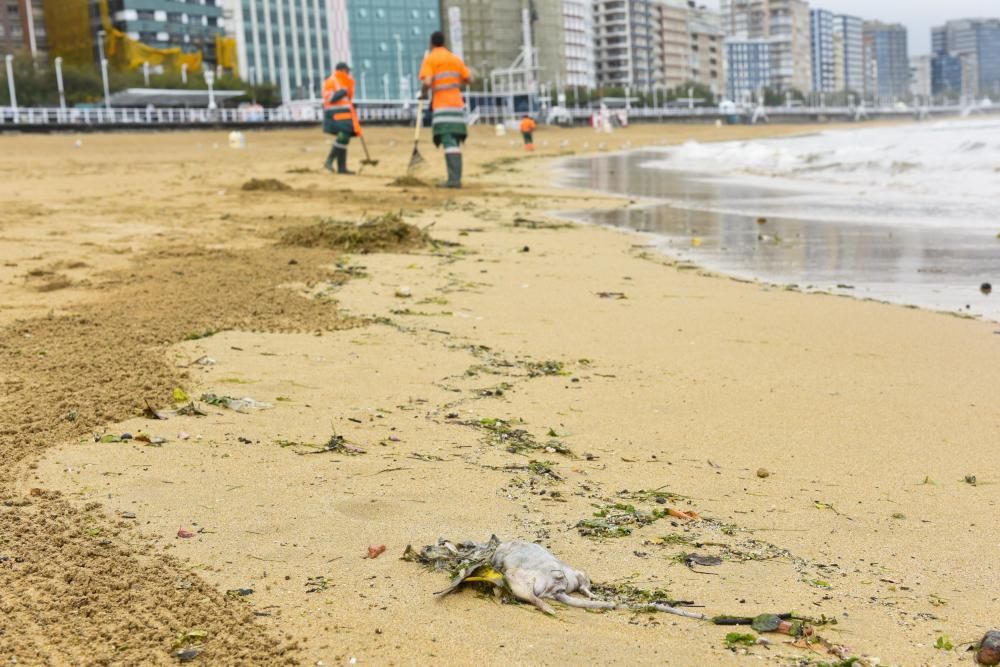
[(921, 265)]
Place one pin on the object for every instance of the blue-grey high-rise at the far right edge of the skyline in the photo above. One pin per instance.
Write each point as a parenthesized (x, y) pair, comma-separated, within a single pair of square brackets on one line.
[(977, 41)]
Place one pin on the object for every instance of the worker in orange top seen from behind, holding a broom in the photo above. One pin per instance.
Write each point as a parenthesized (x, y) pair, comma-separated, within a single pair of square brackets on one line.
[(443, 74)]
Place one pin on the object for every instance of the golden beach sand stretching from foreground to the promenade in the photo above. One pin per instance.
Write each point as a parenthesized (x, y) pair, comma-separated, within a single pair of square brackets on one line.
[(867, 417)]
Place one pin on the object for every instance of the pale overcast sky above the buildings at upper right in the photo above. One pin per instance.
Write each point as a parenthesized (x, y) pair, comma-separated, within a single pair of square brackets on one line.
[(917, 15)]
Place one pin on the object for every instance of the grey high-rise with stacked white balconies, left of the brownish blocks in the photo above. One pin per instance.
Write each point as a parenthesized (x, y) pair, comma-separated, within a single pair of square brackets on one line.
[(625, 33)]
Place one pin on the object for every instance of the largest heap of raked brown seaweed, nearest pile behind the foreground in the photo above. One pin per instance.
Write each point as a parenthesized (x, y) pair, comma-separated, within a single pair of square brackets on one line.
[(385, 233)]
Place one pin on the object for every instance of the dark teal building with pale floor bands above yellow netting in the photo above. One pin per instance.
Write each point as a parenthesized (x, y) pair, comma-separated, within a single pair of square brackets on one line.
[(164, 24)]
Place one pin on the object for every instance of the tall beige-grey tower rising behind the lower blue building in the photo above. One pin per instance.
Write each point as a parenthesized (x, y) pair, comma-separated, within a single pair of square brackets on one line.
[(785, 25)]
